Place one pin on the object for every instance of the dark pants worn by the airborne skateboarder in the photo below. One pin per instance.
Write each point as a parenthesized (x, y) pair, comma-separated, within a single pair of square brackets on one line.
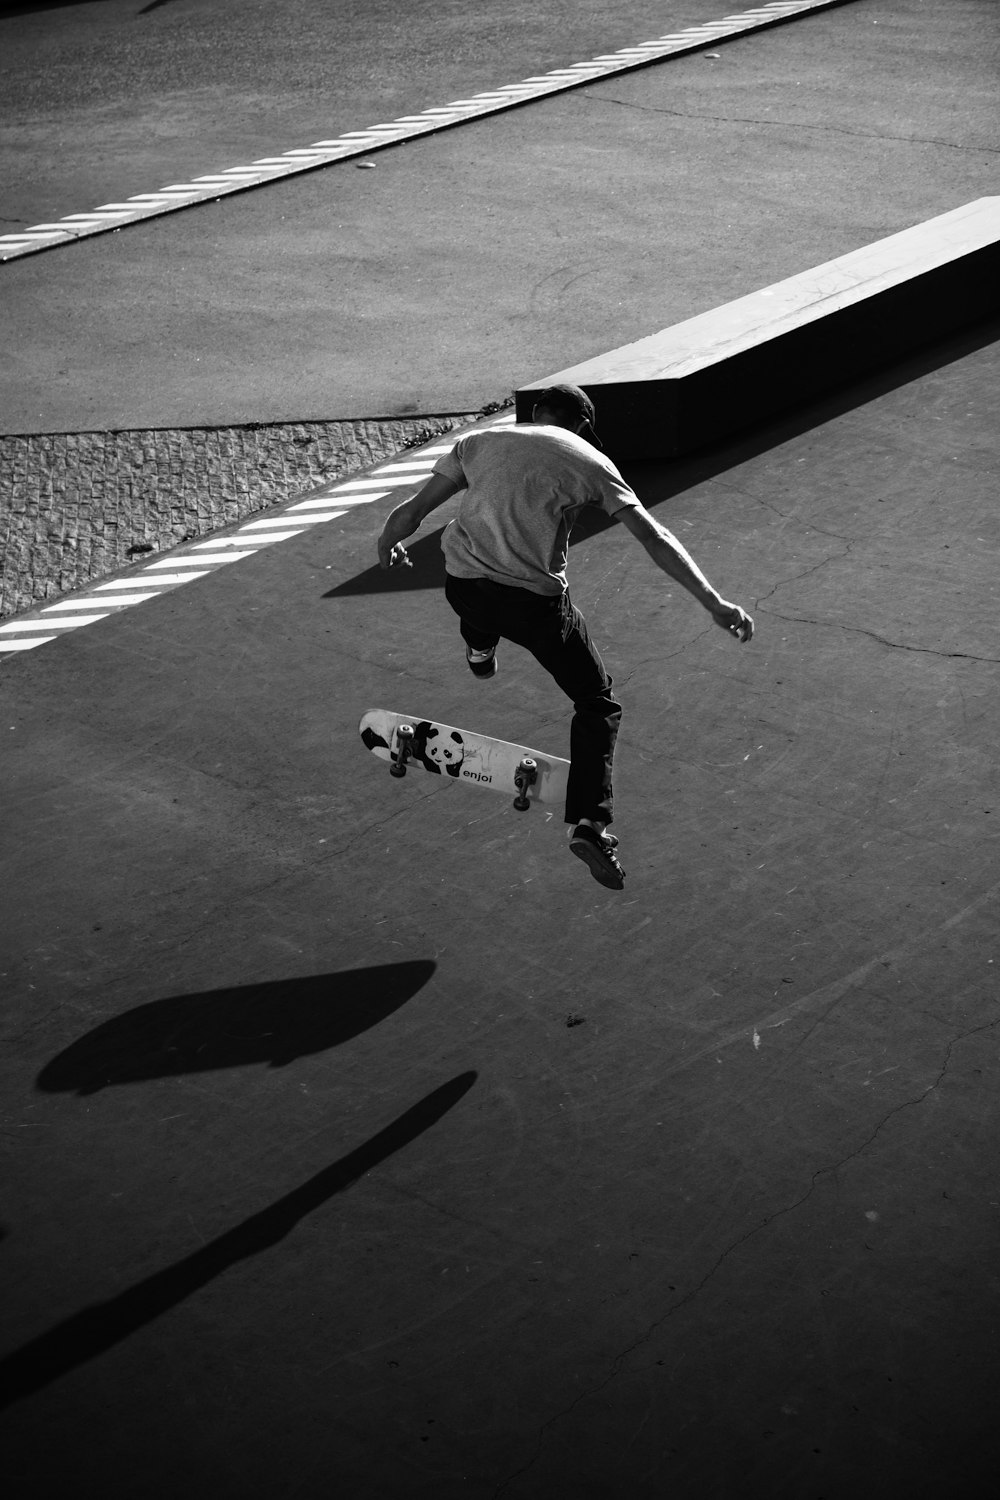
[(555, 634)]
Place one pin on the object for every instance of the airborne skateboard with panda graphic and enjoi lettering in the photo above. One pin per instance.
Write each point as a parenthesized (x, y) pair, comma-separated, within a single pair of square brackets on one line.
[(406, 740)]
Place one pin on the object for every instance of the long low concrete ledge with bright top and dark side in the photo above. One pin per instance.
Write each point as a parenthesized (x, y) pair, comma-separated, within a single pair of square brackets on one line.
[(753, 359)]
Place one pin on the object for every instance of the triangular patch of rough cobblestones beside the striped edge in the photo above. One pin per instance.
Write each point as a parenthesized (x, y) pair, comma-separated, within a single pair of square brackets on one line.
[(79, 506)]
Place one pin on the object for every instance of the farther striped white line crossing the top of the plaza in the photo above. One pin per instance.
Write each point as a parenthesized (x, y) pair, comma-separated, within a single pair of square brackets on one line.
[(359, 143)]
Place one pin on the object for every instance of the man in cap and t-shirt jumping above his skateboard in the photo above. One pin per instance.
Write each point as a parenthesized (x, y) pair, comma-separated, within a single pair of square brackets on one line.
[(506, 559)]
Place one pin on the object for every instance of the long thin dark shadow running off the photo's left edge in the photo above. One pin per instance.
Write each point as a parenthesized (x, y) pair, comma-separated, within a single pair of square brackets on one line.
[(101, 1327)]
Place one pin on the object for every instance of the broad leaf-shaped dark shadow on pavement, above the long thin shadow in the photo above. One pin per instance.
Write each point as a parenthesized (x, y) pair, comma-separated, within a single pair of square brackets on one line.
[(260, 1024)]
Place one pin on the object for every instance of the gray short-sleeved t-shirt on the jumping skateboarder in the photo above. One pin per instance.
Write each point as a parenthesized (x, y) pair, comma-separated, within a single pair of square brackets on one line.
[(525, 487)]
